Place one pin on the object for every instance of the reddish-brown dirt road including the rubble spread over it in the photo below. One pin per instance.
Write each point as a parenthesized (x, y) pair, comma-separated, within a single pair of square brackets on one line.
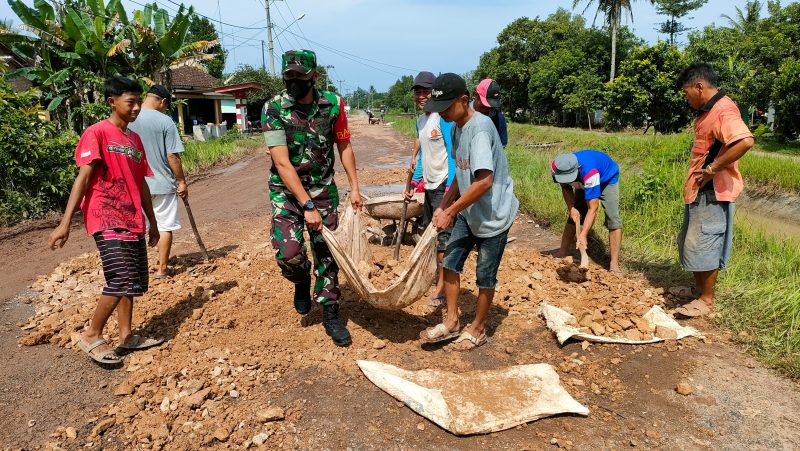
[(234, 338)]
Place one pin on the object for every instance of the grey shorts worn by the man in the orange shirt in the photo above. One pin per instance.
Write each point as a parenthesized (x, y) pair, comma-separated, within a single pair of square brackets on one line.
[(706, 236)]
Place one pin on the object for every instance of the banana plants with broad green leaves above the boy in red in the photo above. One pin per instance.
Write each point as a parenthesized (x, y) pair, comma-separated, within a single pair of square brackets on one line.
[(74, 45)]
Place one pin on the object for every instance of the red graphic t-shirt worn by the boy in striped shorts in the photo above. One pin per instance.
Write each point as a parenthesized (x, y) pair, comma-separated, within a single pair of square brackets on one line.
[(113, 199)]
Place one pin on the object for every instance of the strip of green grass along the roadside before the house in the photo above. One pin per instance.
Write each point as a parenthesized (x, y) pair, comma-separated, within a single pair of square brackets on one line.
[(201, 155)]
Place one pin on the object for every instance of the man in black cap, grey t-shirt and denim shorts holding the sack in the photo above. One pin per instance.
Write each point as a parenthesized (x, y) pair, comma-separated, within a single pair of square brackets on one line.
[(480, 207)]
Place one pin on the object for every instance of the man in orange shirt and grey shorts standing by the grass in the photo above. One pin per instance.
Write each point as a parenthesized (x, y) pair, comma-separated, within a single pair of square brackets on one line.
[(712, 185)]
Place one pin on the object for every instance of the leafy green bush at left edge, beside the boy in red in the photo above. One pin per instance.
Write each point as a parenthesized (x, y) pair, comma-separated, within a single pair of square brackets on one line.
[(36, 168)]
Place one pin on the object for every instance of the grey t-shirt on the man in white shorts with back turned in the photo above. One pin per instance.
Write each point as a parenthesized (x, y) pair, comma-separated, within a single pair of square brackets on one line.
[(160, 137)]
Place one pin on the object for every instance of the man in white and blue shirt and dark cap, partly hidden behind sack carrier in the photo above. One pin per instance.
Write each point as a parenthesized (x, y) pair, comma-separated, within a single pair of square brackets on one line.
[(432, 158)]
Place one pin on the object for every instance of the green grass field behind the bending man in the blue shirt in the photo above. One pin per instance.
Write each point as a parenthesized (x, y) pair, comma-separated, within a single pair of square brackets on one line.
[(759, 292)]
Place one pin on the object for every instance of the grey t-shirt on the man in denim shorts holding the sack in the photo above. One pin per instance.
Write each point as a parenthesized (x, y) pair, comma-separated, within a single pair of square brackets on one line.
[(477, 146)]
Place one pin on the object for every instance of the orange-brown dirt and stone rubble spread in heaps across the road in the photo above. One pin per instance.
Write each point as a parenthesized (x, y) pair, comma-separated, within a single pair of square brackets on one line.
[(235, 349)]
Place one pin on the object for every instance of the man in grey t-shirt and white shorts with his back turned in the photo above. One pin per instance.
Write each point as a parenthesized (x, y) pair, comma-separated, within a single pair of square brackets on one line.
[(163, 147)]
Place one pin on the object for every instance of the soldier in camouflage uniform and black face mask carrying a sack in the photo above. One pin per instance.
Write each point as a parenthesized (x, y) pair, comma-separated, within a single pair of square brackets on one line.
[(300, 127)]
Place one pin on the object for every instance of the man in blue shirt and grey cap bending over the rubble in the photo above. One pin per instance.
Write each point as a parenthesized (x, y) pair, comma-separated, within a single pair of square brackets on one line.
[(588, 179)]
